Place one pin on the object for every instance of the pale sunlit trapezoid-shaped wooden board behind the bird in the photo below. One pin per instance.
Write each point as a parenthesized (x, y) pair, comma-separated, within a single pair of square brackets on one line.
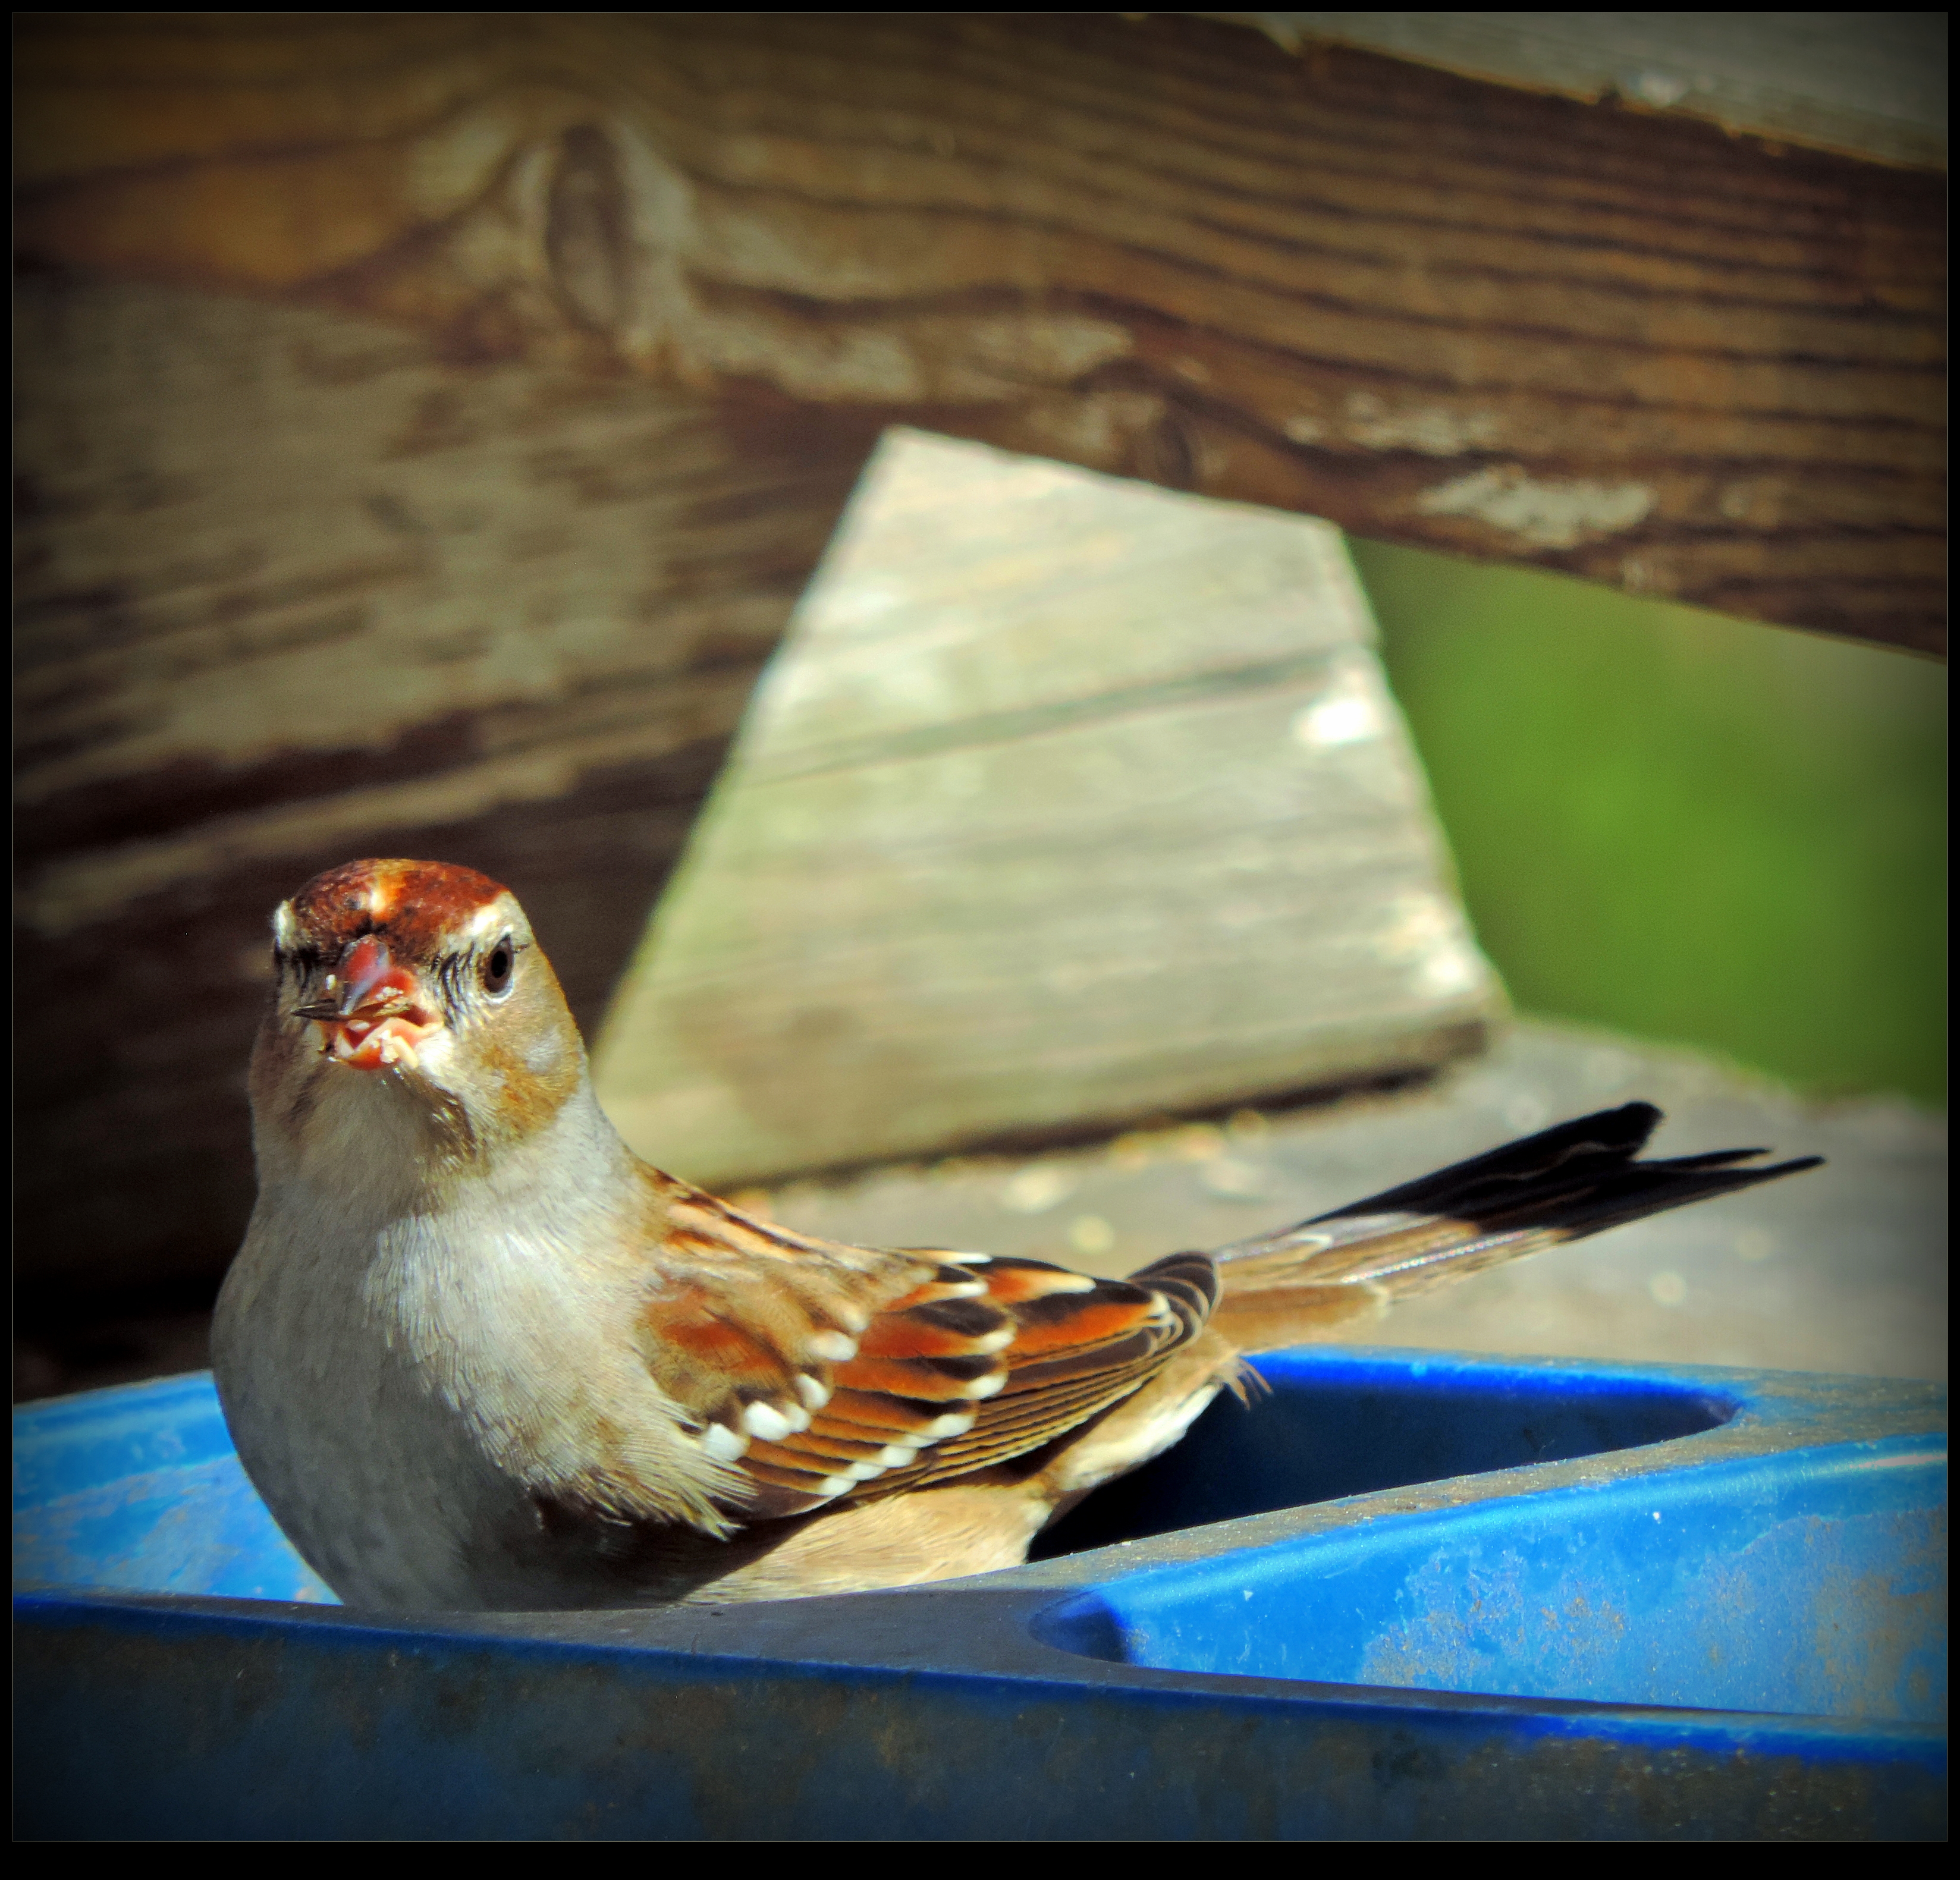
[(1065, 801)]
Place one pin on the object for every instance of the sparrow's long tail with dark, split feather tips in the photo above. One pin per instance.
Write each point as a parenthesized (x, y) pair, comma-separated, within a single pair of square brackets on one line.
[(1553, 1187)]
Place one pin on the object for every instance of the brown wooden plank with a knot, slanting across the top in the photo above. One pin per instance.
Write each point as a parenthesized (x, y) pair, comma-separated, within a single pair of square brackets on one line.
[(1445, 313)]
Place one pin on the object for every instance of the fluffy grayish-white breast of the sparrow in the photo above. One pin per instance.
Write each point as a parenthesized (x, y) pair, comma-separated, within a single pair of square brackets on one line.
[(413, 1395)]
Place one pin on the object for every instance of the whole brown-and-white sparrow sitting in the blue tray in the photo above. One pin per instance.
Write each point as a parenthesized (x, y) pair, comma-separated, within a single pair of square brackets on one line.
[(475, 1354)]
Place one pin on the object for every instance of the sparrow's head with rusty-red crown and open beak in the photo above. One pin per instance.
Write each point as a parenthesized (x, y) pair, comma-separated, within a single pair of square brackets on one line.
[(413, 1009)]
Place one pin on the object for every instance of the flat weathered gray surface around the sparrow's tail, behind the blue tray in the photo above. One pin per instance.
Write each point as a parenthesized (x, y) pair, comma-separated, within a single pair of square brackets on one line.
[(1839, 1269)]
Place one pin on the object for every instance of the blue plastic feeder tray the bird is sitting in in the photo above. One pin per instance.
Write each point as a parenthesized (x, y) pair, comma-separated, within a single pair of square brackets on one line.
[(1404, 1595)]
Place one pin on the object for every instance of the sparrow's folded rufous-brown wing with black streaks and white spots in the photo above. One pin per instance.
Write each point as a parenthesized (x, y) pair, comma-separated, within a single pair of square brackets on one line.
[(824, 1373)]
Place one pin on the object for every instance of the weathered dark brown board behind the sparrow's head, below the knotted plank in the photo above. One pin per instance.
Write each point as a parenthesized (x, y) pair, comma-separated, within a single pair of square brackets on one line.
[(293, 587)]
